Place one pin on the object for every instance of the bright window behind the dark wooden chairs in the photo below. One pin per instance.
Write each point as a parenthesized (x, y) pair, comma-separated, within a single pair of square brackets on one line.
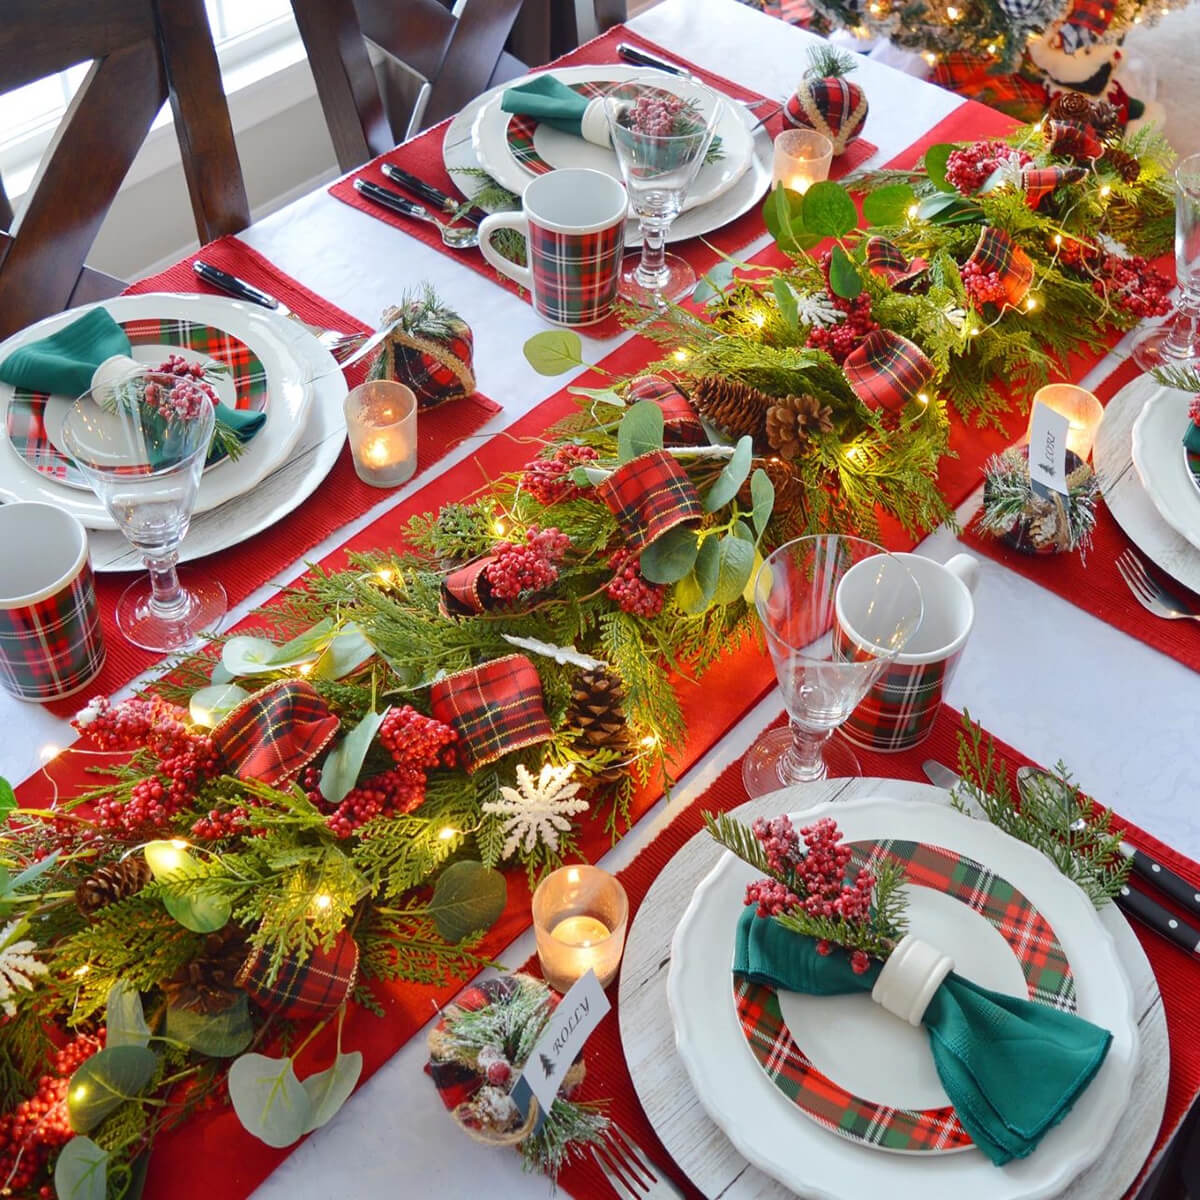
[(250, 35)]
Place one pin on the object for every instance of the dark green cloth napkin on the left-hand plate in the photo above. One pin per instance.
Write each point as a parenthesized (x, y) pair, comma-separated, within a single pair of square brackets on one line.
[(63, 365)]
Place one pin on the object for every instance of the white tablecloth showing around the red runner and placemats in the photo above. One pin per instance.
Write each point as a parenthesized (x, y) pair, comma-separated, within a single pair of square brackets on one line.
[(1039, 673)]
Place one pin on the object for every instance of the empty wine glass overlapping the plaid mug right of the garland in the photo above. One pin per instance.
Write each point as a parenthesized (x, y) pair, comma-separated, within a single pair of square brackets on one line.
[(835, 611)]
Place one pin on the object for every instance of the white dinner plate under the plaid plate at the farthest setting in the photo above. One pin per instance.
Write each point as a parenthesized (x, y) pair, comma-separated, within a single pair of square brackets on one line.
[(490, 139)]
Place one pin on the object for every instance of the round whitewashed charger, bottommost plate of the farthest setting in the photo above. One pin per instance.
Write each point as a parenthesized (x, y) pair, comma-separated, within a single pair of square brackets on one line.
[(459, 155)]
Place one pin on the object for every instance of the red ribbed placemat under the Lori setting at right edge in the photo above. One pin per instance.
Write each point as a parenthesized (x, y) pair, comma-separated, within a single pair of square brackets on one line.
[(1094, 584)]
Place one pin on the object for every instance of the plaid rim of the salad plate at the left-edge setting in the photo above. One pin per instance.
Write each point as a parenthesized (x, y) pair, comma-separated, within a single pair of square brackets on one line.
[(26, 417)]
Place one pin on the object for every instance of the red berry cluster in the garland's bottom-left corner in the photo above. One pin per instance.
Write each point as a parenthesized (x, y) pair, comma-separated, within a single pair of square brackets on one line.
[(40, 1125)]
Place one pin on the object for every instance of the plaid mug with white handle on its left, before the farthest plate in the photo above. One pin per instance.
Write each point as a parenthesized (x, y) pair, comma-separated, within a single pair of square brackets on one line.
[(574, 226)]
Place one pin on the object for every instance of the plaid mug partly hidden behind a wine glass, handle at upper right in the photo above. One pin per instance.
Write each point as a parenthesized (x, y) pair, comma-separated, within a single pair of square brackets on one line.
[(899, 711)]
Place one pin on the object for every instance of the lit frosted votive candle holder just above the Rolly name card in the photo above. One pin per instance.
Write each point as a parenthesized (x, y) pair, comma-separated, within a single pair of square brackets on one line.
[(579, 917)]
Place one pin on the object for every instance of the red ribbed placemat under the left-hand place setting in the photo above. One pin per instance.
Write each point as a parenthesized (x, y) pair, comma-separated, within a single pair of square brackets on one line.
[(339, 499)]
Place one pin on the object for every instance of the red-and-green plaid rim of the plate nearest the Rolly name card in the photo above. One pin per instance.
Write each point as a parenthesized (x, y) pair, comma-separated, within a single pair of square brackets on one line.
[(1033, 940)]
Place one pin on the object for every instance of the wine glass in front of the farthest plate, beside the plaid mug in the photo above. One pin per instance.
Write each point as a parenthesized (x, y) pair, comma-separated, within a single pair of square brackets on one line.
[(662, 141)]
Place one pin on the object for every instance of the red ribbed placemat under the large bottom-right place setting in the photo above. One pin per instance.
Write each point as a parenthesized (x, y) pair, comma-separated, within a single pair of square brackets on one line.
[(1179, 977)]
